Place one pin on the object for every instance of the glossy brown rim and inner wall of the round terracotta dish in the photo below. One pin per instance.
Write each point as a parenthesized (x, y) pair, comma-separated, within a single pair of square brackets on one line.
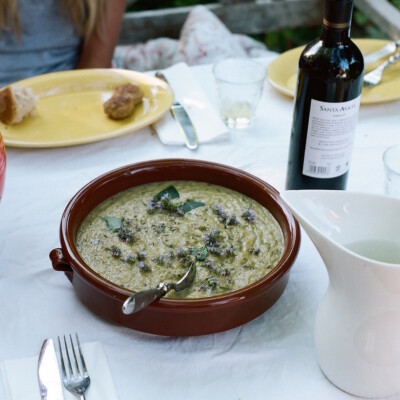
[(72, 219)]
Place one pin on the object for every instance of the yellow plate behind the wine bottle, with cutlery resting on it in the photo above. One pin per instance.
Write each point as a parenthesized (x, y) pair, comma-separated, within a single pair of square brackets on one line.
[(282, 74)]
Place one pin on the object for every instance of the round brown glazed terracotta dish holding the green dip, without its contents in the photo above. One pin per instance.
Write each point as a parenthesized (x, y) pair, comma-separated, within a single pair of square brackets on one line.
[(167, 316)]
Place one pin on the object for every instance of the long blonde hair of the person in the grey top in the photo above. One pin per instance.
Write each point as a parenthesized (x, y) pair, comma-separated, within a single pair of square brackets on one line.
[(86, 15)]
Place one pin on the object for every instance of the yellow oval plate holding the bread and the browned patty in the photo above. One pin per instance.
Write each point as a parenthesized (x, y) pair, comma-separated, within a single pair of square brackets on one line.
[(70, 108)]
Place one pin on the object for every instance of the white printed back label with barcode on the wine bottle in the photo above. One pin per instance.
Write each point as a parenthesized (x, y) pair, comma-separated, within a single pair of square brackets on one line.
[(330, 136)]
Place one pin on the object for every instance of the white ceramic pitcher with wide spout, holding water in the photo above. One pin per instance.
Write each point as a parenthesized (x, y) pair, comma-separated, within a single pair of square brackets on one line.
[(357, 327)]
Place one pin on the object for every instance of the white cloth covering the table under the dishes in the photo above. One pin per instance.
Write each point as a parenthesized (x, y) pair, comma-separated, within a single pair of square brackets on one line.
[(271, 357)]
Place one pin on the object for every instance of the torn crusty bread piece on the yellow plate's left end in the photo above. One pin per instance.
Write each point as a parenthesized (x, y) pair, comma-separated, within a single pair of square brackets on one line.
[(16, 103)]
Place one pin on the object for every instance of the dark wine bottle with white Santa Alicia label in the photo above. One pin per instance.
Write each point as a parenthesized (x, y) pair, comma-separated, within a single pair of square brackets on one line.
[(327, 100)]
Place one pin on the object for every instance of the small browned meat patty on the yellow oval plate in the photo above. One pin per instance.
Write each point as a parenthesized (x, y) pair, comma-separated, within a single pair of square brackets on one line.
[(123, 101)]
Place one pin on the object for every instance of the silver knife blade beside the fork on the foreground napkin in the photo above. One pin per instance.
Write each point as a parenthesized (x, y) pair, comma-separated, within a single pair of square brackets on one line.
[(48, 373)]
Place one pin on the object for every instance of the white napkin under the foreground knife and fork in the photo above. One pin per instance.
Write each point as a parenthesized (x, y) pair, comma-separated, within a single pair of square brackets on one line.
[(21, 381)]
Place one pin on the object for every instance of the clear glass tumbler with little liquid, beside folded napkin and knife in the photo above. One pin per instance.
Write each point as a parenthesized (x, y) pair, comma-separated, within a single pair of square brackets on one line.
[(239, 83)]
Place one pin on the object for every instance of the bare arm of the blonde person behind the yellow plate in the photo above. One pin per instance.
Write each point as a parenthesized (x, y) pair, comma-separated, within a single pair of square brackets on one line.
[(98, 49)]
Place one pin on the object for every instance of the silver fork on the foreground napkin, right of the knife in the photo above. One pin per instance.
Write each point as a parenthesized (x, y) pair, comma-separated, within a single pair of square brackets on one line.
[(74, 380)]
